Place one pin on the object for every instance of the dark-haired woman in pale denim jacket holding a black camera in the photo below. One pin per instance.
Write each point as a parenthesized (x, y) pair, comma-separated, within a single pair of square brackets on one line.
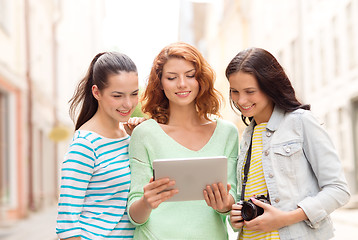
[(286, 157)]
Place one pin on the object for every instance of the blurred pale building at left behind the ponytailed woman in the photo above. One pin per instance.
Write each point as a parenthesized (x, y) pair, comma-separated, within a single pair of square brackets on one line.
[(46, 47)]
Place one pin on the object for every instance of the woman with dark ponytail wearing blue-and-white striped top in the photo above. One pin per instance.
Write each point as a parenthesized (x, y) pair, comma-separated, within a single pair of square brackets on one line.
[(95, 172)]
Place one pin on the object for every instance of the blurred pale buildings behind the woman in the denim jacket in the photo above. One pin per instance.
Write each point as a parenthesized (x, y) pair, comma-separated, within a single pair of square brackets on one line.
[(315, 41)]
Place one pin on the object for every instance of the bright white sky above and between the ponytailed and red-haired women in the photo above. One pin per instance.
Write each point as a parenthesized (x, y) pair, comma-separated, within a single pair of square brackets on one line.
[(140, 29)]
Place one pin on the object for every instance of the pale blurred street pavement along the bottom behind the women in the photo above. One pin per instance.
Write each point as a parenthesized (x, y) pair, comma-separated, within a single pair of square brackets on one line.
[(41, 226)]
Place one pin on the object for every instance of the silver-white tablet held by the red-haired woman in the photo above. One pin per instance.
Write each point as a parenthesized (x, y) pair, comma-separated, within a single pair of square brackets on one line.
[(191, 175)]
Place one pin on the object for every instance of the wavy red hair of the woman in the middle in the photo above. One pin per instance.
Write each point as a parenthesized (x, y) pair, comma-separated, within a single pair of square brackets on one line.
[(156, 104)]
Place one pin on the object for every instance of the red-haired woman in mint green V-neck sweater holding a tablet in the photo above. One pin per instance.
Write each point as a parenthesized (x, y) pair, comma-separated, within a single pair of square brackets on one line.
[(181, 99)]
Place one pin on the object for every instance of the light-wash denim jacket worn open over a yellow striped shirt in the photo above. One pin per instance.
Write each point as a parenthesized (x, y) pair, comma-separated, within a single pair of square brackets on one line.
[(301, 169)]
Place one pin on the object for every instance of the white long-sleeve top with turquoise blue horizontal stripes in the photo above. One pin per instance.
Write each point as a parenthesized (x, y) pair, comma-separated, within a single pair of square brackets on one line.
[(94, 188)]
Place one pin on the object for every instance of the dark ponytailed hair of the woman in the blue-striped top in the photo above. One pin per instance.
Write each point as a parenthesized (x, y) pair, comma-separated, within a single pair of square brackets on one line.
[(102, 65)]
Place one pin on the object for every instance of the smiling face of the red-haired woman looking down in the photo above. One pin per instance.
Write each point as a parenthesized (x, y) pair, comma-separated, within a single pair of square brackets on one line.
[(179, 83)]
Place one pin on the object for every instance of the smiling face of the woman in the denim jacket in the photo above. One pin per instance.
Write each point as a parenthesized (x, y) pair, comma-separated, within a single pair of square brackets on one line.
[(249, 98)]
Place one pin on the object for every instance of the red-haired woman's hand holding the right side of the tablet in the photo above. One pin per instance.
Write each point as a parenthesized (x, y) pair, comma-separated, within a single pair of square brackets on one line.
[(217, 197)]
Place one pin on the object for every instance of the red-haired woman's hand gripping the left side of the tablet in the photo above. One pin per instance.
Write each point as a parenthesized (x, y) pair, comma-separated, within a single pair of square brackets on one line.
[(155, 192)]
